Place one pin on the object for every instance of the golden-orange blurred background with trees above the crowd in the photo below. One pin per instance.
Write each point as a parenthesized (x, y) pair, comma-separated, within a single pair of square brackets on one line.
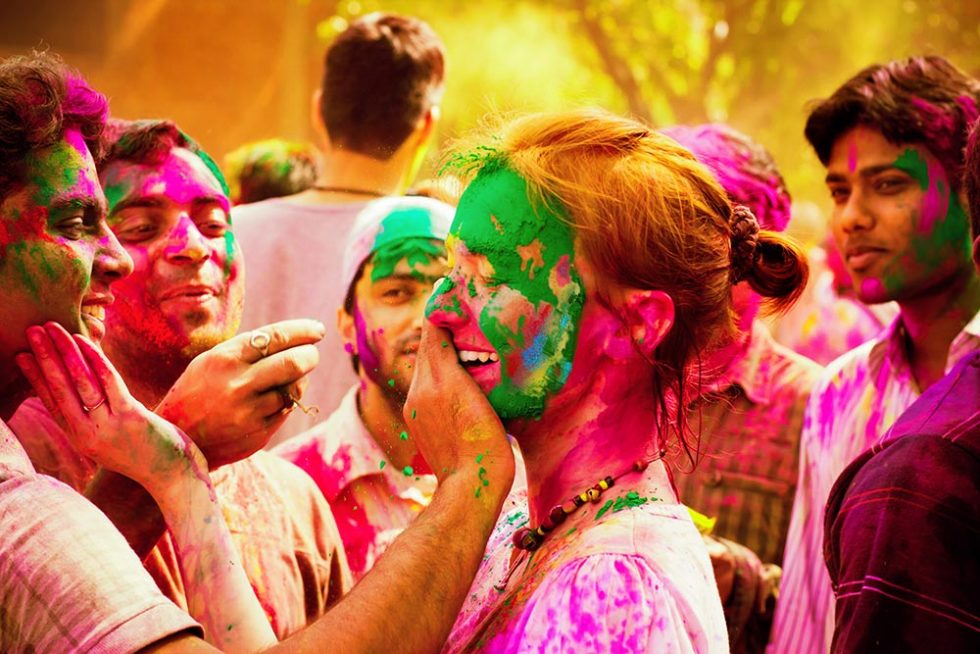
[(234, 71)]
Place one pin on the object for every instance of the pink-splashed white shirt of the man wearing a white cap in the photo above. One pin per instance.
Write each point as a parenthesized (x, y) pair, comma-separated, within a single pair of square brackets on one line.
[(370, 499)]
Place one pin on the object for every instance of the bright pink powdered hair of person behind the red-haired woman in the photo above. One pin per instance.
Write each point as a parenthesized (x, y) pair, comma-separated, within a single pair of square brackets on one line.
[(744, 168)]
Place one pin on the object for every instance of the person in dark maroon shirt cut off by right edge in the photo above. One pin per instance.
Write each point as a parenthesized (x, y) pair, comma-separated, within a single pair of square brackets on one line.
[(902, 529)]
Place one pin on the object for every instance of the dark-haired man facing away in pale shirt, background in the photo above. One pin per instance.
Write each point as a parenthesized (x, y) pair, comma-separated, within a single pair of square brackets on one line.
[(376, 113)]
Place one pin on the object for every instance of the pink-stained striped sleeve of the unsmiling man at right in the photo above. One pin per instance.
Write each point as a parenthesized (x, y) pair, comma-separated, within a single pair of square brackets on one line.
[(802, 618)]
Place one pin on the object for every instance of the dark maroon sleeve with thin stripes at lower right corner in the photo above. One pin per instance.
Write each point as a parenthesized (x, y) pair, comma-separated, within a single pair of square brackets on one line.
[(908, 541)]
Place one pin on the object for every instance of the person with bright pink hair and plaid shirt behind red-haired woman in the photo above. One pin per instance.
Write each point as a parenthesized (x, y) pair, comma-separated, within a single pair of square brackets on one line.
[(751, 414)]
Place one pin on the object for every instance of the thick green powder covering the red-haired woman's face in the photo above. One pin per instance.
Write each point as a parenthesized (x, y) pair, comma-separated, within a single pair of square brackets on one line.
[(531, 250)]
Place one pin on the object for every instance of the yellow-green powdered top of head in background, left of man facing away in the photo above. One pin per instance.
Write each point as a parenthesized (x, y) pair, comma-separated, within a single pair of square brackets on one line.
[(272, 168)]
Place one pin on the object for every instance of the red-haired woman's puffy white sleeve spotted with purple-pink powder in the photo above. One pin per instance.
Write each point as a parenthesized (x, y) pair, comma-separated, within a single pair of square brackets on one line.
[(608, 603)]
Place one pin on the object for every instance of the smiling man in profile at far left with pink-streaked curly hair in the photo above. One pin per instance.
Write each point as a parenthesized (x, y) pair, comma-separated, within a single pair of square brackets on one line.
[(68, 580)]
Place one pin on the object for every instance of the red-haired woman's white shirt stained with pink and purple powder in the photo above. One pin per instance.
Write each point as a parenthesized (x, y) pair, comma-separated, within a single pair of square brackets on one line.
[(633, 580)]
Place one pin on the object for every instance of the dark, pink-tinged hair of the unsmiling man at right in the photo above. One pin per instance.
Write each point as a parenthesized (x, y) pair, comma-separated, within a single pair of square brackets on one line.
[(923, 100)]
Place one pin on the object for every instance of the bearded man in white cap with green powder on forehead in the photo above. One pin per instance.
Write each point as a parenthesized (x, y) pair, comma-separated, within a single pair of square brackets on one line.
[(361, 457)]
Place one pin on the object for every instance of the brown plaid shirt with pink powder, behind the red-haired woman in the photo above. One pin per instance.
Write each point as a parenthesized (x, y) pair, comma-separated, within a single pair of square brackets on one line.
[(750, 431)]
